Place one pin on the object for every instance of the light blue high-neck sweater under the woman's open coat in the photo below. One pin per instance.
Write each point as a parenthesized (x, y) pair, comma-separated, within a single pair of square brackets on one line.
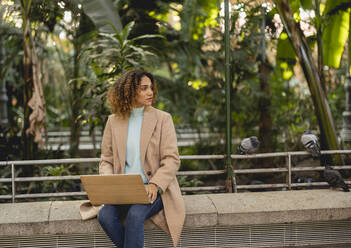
[(133, 160)]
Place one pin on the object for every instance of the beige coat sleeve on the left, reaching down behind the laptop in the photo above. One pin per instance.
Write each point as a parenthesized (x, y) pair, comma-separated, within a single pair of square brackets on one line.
[(106, 163)]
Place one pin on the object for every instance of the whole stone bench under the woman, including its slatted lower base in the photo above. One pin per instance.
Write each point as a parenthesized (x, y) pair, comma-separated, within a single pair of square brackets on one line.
[(306, 218)]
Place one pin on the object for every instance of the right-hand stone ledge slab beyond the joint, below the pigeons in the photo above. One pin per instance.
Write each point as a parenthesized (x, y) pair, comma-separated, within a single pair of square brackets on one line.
[(282, 207)]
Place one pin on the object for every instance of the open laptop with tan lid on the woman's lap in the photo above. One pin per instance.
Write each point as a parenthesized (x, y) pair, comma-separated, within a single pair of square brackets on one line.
[(115, 189)]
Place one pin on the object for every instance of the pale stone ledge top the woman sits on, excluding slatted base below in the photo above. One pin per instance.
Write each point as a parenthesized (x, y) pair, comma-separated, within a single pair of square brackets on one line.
[(60, 217)]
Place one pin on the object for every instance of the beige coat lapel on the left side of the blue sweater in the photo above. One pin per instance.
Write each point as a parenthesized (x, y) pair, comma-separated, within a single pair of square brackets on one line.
[(122, 131)]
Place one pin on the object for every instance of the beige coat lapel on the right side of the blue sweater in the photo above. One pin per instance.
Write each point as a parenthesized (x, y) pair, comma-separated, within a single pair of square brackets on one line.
[(148, 126)]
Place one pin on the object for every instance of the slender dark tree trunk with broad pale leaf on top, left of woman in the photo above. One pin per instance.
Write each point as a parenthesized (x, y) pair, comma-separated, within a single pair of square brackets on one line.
[(105, 16)]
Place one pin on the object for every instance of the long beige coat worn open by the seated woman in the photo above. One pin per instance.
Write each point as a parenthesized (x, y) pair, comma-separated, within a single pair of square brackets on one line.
[(159, 158)]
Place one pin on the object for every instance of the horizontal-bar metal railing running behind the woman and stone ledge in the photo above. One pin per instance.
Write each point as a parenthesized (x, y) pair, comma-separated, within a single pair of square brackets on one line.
[(287, 169)]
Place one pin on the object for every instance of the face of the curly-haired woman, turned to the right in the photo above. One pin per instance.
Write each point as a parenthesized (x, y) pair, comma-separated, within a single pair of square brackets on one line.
[(145, 93)]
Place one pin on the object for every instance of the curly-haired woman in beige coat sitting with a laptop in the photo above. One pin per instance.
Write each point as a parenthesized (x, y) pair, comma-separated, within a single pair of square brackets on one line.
[(139, 139)]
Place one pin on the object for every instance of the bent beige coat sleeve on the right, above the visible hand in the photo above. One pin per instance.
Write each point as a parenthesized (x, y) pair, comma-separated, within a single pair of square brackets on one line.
[(169, 156)]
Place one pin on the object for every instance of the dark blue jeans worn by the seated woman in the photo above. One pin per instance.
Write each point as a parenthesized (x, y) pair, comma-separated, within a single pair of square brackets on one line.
[(132, 235)]
